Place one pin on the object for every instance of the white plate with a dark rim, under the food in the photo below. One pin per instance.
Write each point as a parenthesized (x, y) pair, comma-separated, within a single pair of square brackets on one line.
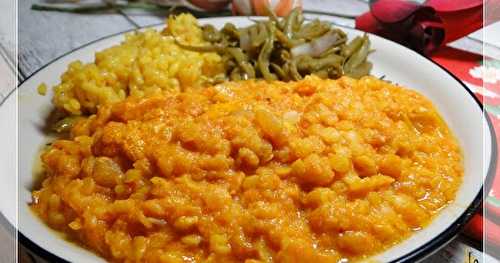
[(458, 106)]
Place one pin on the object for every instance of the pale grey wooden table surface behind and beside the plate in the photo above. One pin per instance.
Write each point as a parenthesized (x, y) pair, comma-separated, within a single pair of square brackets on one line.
[(44, 36)]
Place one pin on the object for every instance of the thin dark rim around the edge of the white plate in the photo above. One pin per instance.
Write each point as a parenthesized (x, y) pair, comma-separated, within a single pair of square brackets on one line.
[(416, 255)]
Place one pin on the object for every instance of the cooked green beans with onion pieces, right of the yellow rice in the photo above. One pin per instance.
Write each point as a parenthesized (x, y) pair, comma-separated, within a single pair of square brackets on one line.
[(286, 49)]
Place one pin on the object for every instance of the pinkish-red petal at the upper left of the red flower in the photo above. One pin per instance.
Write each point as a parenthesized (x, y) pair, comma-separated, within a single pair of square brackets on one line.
[(392, 11)]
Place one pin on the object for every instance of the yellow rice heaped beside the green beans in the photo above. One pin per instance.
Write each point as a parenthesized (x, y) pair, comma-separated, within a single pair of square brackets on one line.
[(144, 63)]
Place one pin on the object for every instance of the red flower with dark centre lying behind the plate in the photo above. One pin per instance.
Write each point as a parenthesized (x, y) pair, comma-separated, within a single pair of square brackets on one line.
[(424, 27)]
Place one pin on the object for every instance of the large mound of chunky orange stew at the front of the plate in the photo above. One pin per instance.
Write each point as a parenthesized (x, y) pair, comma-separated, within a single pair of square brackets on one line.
[(315, 170)]
